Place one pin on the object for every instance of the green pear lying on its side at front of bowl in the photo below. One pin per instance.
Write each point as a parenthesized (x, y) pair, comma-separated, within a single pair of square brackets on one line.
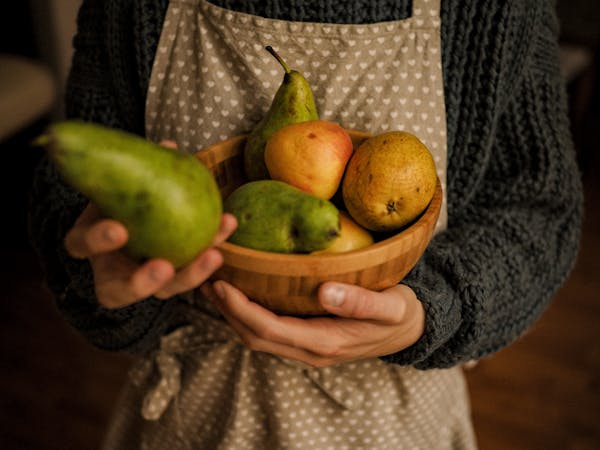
[(274, 216)]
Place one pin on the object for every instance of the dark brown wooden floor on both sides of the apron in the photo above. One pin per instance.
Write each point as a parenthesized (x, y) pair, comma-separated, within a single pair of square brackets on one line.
[(542, 393)]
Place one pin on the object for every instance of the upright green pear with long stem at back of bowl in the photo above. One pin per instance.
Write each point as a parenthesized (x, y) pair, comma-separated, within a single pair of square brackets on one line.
[(293, 102)]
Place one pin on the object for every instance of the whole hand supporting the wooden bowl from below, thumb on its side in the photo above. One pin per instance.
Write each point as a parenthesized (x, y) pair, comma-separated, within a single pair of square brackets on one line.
[(366, 323)]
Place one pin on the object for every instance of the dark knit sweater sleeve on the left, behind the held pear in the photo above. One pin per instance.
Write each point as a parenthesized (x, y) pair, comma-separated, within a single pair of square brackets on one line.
[(91, 96)]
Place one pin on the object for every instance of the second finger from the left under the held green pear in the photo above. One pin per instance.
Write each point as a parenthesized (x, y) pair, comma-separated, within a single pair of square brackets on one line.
[(117, 292)]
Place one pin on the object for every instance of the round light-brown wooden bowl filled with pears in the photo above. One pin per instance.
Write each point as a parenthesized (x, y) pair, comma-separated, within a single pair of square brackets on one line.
[(287, 283)]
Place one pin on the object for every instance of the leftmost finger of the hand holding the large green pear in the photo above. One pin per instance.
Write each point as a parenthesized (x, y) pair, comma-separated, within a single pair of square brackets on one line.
[(106, 235)]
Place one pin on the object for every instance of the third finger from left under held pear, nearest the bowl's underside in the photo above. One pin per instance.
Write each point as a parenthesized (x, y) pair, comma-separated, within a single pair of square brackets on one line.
[(192, 275)]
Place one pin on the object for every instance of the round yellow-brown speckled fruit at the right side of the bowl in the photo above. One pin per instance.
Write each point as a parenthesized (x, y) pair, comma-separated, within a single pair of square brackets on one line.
[(389, 180)]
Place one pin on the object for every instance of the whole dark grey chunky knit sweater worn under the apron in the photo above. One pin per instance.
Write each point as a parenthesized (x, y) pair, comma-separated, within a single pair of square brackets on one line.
[(514, 193)]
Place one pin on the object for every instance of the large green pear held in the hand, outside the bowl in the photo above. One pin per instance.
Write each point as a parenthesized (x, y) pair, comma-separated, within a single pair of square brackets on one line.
[(168, 201)]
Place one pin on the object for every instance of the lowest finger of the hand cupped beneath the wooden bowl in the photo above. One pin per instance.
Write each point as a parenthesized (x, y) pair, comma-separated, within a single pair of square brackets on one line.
[(257, 343)]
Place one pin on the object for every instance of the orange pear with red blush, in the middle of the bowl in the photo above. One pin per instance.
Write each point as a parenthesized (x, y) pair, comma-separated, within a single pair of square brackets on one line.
[(311, 156)]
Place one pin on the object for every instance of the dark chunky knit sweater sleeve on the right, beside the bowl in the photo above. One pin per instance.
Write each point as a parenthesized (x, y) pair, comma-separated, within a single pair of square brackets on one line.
[(505, 254)]
